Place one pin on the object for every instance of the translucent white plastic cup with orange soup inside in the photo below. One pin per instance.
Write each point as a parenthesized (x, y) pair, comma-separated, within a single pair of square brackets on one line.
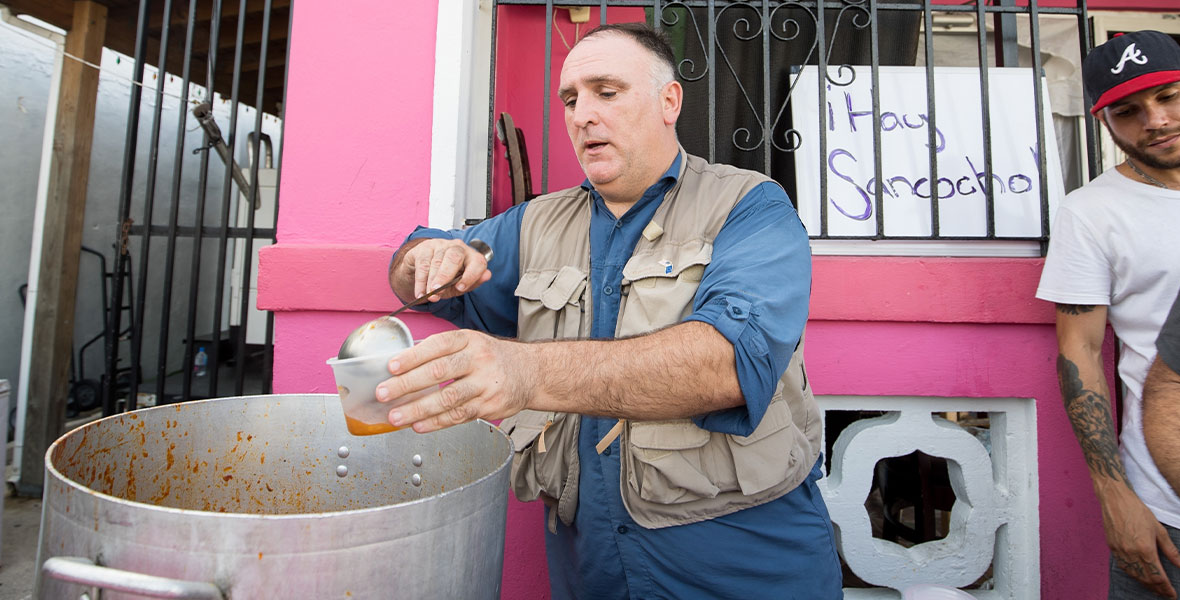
[(357, 381)]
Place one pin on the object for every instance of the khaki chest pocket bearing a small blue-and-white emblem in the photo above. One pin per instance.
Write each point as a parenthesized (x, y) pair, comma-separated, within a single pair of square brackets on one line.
[(660, 288)]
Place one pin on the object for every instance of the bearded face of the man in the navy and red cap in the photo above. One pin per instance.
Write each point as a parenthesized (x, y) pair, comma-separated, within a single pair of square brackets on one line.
[(1146, 126)]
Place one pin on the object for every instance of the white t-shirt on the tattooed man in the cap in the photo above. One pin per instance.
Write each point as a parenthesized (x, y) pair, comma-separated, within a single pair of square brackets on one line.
[(1117, 243)]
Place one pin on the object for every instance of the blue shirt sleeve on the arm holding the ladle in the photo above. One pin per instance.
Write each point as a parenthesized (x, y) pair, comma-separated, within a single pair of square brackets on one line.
[(490, 308)]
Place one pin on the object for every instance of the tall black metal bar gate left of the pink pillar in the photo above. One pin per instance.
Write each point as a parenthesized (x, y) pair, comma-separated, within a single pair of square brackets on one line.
[(173, 279)]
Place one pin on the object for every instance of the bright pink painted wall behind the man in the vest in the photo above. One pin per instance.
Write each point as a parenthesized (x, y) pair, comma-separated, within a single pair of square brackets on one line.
[(356, 181)]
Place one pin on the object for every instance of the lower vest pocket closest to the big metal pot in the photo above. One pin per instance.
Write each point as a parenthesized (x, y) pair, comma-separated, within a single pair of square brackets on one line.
[(546, 465)]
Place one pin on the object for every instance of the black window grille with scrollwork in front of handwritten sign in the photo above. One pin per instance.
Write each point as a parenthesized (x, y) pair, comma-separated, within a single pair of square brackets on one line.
[(744, 58)]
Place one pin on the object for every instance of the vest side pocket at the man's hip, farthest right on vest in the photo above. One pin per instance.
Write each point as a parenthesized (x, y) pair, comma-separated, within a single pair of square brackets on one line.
[(768, 456)]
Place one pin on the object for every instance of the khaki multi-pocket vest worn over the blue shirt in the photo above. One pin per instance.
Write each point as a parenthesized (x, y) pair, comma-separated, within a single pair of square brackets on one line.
[(673, 473)]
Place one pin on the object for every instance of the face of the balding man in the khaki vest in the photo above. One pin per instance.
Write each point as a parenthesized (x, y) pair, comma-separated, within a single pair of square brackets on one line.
[(618, 120)]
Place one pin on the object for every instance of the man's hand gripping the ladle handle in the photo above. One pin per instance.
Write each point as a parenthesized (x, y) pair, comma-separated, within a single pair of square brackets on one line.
[(423, 265)]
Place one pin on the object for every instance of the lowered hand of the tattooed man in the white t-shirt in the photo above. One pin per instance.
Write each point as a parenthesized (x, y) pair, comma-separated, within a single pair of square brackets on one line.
[(1137, 540)]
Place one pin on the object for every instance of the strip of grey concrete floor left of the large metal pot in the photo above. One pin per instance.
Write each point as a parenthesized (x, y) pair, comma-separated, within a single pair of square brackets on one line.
[(22, 523)]
